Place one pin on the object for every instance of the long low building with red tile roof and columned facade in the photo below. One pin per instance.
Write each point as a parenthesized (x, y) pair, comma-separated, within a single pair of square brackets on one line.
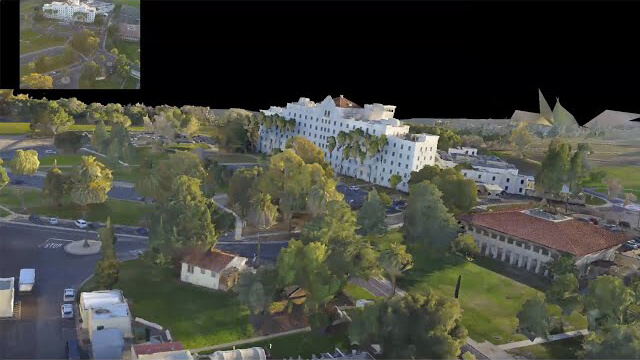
[(528, 239)]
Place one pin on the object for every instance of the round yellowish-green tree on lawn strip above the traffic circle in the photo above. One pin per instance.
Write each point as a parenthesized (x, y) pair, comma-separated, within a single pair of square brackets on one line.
[(91, 181)]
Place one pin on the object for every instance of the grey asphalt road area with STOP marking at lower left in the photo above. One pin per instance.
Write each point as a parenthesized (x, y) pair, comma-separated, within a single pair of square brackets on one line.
[(41, 333)]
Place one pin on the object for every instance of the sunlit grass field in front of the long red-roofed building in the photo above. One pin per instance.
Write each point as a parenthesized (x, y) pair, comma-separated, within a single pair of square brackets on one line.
[(490, 300)]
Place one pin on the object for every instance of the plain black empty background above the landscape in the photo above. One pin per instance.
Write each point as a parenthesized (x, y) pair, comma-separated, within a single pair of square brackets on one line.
[(431, 59)]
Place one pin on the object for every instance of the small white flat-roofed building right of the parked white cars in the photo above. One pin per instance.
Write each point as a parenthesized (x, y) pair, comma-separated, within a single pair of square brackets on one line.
[(105, 310)]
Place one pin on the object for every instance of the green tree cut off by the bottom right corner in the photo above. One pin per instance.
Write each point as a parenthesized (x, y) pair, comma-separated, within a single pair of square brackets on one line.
[(619, 342)]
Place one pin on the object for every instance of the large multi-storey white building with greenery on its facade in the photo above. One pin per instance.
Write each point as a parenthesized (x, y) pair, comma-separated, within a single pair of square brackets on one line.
[(317, 122)]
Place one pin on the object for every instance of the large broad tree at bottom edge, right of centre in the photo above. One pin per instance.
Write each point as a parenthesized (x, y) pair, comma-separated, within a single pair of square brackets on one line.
[(417, 326)]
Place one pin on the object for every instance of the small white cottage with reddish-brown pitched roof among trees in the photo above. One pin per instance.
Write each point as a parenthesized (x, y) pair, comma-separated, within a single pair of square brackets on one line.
[(213, 269)]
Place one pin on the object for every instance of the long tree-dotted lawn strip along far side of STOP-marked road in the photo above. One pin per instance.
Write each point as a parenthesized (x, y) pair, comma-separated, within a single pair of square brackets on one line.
[(121, 212)]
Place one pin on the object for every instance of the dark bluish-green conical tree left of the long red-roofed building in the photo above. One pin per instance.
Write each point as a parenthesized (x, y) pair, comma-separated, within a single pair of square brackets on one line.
[(426, 219)]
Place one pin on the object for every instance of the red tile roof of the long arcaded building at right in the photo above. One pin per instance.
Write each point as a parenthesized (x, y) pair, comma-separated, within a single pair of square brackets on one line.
[(570, 236)]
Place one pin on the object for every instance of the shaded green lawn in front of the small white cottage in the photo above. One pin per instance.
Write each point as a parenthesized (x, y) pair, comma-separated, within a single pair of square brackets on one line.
[(195, 316)]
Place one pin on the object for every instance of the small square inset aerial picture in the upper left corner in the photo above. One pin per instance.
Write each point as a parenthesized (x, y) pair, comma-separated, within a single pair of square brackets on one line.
[(80, 44)]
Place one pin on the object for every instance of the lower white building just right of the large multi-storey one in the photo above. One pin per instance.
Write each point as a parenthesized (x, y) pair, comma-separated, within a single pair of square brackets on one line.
[(487, 169)]
